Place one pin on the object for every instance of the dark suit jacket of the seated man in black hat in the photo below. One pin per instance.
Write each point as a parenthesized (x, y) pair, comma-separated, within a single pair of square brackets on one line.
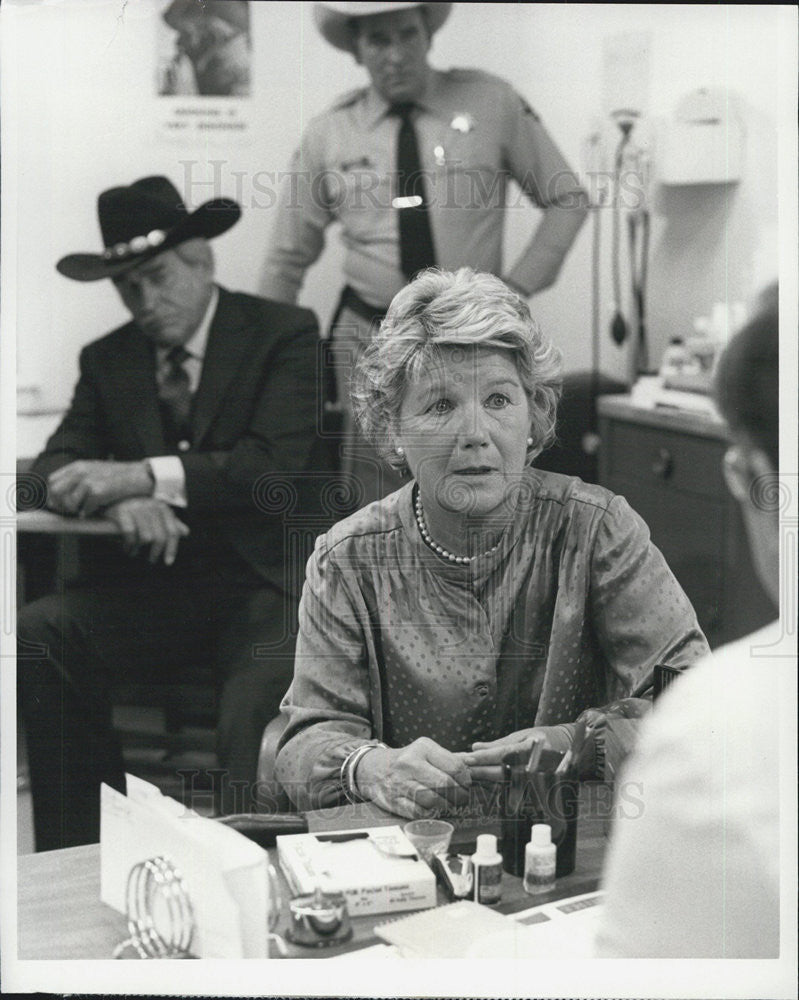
[(256, 467)]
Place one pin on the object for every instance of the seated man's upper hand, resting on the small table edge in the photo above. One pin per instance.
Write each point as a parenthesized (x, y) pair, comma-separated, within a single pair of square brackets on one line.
[(83, 487)]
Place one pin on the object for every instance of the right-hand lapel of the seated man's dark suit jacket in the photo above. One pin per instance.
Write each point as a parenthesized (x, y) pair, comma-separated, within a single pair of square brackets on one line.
[(224, 353)]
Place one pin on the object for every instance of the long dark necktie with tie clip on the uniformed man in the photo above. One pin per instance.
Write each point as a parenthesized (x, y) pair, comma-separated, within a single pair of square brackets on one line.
[(416, 237)]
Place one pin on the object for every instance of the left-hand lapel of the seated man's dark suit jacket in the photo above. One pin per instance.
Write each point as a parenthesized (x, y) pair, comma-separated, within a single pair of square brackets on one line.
[(136, 391)]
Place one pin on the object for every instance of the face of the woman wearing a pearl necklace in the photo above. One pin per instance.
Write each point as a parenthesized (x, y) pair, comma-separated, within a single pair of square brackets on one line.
[(464, 426)]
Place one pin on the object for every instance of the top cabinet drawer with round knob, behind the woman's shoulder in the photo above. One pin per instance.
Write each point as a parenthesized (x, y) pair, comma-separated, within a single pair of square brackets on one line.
[(656, 457)]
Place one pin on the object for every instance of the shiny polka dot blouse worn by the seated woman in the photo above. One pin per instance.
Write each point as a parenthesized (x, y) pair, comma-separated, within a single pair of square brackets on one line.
[(571, 611)]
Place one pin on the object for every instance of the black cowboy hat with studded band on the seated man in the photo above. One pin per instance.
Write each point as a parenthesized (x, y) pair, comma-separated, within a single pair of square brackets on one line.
[(142, 220)]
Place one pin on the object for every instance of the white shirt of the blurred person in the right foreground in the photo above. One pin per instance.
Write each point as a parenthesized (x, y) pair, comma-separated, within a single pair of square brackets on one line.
[(691, 868)]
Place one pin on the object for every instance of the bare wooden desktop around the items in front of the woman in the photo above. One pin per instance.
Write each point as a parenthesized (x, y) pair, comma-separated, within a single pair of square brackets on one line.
[(60, 915)]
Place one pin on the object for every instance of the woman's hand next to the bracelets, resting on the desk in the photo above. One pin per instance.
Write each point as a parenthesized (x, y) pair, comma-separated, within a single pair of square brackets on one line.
[(418, 780)]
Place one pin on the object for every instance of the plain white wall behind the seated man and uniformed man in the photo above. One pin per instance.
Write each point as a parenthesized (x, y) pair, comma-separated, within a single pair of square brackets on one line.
[(79, 96)]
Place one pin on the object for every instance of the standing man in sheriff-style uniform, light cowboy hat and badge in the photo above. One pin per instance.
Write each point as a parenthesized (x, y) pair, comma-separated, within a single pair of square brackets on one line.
[(415, 167)]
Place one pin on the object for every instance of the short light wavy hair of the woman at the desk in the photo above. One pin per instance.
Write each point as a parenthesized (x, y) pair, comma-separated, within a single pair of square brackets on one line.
[(452, 309)]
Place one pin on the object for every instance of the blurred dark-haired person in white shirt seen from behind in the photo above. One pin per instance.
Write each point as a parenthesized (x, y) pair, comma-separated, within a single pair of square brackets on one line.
[(697, 873)]
